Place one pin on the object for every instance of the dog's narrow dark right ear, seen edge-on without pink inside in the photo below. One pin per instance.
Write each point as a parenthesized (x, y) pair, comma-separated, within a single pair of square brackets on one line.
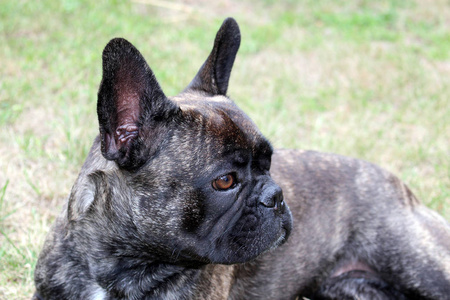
[(214, 75)]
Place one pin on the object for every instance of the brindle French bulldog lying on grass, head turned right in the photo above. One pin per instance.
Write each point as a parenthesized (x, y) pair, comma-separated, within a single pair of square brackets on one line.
[(183, 198)]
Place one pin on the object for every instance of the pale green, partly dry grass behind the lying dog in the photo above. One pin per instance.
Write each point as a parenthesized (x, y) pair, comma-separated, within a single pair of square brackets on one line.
[(367, 79)]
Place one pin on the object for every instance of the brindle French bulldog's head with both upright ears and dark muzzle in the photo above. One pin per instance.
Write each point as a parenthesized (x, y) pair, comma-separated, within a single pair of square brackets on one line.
[(194, 169)]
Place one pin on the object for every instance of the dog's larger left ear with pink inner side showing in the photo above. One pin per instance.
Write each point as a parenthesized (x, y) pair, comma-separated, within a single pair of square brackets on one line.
[(130, 105)]
